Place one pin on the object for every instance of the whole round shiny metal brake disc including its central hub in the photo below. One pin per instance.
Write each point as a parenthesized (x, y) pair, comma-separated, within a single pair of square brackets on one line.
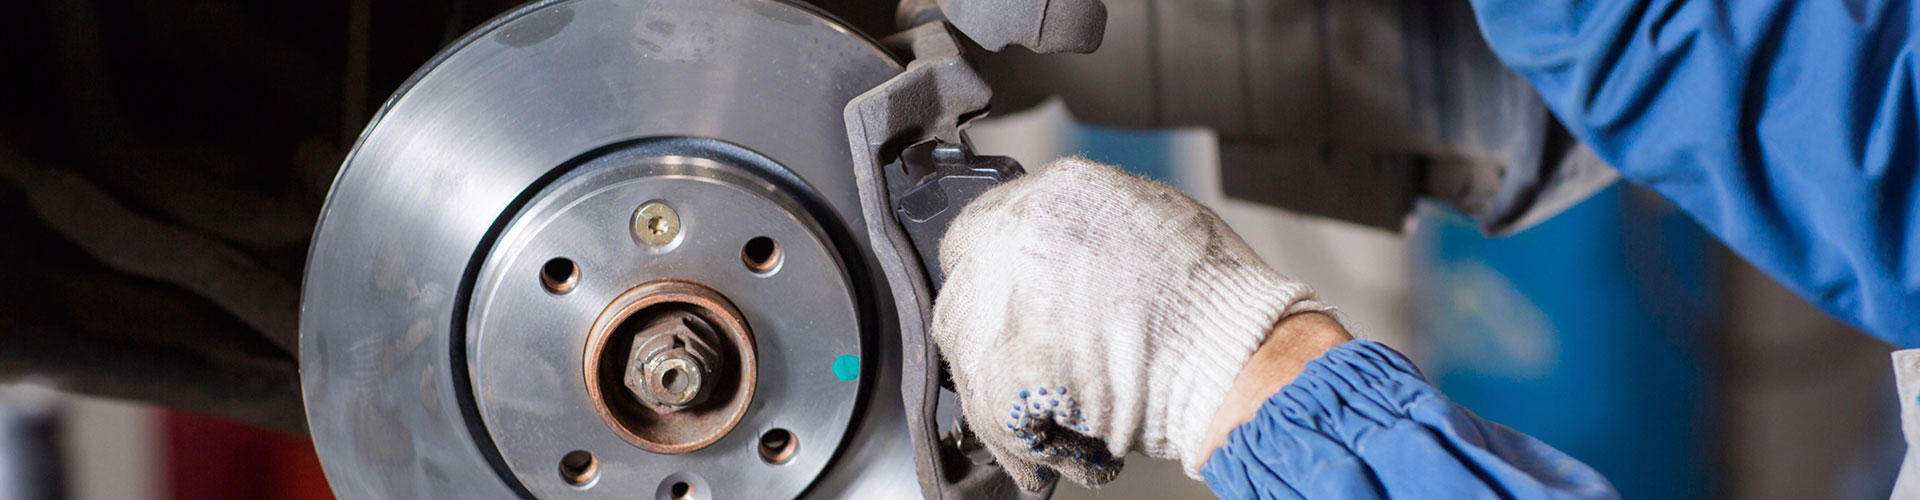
[(608, 249)]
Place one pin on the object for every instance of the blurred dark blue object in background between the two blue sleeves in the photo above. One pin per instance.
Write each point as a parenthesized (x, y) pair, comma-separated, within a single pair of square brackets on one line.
[(1589, 332)]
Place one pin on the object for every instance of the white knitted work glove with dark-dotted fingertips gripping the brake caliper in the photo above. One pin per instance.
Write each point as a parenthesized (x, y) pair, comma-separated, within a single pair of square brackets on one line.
[(1090, 312)]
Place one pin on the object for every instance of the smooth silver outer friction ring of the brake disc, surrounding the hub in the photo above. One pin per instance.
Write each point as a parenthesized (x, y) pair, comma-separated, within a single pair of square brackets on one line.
[(492, 120)]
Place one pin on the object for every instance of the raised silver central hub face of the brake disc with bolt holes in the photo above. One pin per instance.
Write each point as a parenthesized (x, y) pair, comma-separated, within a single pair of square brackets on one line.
[(527, 343)]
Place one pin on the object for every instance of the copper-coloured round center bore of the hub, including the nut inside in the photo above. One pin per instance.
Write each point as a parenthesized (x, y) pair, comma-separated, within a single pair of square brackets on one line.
[(671, 366)]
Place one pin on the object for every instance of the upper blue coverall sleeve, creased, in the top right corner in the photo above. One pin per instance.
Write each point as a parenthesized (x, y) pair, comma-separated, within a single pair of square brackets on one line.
[(1788, 130)]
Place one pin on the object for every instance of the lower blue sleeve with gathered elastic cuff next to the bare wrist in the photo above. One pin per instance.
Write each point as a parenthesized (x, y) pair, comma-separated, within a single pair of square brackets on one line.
[(1362, 422)]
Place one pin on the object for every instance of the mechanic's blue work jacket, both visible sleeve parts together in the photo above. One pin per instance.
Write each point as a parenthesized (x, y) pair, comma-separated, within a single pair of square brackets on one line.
[(1787, 130)]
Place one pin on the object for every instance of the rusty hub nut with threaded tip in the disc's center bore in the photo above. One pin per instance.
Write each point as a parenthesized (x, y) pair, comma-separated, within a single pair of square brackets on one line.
[(673, 362)]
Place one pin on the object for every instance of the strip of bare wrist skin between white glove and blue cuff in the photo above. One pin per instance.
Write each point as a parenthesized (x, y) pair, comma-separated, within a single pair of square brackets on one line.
[(1289, 347)]
